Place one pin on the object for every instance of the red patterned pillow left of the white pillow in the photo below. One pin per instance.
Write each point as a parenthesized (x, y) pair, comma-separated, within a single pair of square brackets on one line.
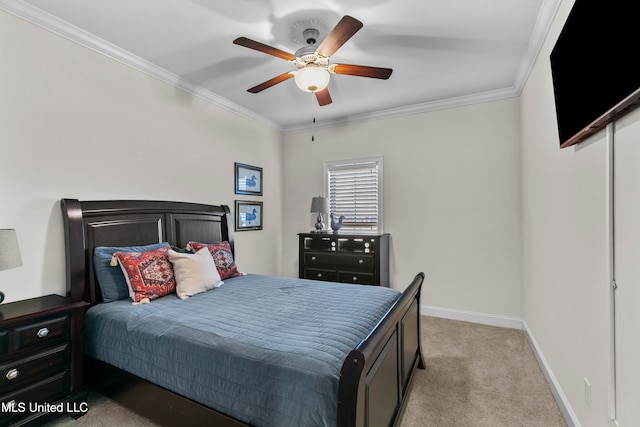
[(149, 274)]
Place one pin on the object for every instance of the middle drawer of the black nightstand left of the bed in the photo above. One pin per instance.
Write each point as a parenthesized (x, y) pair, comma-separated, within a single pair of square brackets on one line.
[(18, 373)]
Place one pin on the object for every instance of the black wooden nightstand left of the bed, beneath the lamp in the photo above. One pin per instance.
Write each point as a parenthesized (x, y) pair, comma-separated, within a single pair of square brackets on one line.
[(41, 360)]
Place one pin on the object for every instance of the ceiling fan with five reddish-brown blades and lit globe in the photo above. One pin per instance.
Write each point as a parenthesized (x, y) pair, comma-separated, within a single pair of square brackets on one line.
[(312, 63)]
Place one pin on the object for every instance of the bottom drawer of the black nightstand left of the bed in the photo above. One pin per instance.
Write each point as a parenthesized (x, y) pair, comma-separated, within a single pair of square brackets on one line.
[(48, 390)]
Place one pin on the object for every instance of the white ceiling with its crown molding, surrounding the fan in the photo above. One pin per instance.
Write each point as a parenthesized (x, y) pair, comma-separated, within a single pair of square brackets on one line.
[(443, 53)]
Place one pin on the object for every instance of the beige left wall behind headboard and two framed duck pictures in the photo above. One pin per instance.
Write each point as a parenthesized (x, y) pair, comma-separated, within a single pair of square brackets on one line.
[(74, 123)]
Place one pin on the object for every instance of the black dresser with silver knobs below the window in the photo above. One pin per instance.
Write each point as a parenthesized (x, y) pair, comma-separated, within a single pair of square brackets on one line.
[(348, 258)]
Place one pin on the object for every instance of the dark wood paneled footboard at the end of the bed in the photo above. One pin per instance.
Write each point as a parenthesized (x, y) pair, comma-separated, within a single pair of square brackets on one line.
[(375, 377)]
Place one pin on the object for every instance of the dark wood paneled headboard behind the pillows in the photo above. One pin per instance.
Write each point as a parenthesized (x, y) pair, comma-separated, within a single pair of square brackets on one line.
[(88, 224)]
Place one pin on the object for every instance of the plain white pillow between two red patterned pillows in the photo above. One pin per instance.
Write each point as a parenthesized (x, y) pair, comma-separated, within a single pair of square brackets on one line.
[(194, 273)]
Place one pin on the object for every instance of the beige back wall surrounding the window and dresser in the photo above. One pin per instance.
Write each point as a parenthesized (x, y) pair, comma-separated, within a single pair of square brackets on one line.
[(451, 199)]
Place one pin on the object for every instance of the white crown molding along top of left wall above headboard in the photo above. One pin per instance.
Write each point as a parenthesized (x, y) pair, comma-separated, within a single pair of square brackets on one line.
[(64, 29)]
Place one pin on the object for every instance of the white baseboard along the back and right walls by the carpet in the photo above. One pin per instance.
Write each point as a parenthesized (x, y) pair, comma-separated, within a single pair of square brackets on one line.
[(513, 323)]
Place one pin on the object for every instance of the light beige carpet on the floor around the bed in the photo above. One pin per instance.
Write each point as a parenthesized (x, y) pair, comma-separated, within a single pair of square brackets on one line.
[(475, 376)]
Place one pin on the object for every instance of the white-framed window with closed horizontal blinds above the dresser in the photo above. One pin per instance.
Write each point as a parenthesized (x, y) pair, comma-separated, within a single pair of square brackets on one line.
[(354, 189)]
